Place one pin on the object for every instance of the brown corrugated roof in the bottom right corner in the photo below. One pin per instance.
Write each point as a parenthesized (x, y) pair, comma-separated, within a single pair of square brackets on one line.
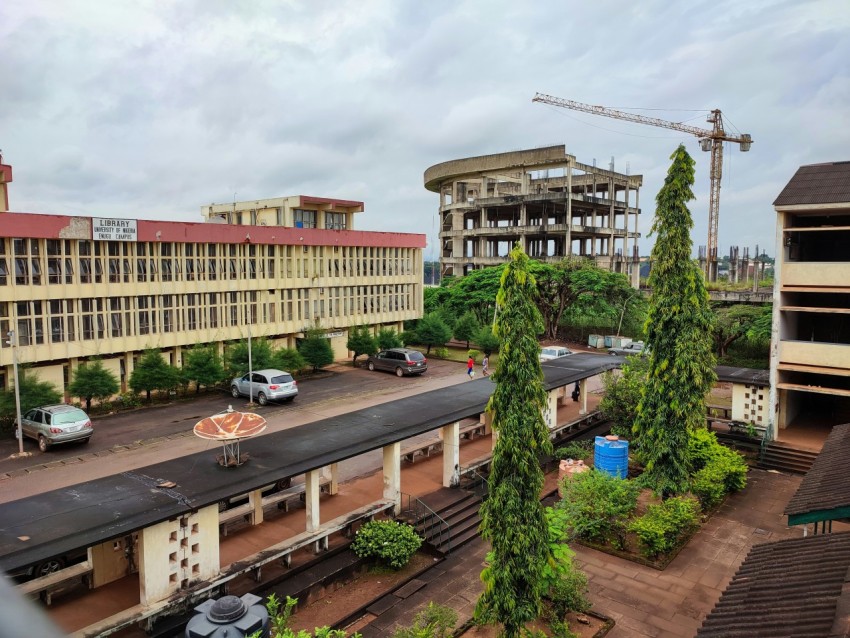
[(788, 588)]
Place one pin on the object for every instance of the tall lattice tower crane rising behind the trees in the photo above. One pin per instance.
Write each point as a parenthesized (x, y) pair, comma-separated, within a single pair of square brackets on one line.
[(709, 140)]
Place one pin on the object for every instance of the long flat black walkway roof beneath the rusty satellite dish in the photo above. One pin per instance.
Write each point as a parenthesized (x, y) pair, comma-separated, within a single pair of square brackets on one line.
[(79, 516)]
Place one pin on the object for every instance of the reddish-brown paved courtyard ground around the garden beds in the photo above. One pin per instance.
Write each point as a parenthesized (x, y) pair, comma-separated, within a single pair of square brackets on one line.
[(643, 601)]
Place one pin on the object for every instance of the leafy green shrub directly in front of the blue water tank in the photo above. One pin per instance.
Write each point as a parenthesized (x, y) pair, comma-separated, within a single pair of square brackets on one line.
[(597, 506)]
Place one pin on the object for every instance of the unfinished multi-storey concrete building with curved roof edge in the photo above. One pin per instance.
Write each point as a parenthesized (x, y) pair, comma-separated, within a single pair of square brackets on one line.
[(553, 205)]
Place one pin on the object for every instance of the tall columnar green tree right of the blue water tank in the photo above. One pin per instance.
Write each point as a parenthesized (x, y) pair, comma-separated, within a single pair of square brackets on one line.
[(679, 329)]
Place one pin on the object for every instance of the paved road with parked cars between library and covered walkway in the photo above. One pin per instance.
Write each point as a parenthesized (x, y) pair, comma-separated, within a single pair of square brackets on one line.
[(137, 438)]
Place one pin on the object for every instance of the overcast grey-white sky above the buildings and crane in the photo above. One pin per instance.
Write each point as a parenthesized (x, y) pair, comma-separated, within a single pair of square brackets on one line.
[(151, 109)]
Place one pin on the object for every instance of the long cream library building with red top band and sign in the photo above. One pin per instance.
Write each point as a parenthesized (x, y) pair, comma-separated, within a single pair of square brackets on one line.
[(76, 287)]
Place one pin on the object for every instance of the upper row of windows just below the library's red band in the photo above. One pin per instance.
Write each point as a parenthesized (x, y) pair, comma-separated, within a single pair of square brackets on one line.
[(125, 262)]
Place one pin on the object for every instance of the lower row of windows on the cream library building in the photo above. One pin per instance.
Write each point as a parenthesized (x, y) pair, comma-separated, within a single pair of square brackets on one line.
[(100, 318)]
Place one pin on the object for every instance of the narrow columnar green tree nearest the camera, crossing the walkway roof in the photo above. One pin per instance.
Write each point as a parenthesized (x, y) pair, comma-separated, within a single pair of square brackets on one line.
[(513, 520)]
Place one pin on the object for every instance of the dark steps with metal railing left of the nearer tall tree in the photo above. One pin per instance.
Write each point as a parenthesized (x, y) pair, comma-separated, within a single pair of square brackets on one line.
[(450, 520)]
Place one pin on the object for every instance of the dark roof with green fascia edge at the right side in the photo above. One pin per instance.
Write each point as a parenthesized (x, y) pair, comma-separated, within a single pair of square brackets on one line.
[(824, 492)]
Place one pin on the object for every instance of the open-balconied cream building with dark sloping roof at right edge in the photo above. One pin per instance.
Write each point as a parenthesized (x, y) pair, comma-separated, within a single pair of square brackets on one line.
[(810, 348)]
